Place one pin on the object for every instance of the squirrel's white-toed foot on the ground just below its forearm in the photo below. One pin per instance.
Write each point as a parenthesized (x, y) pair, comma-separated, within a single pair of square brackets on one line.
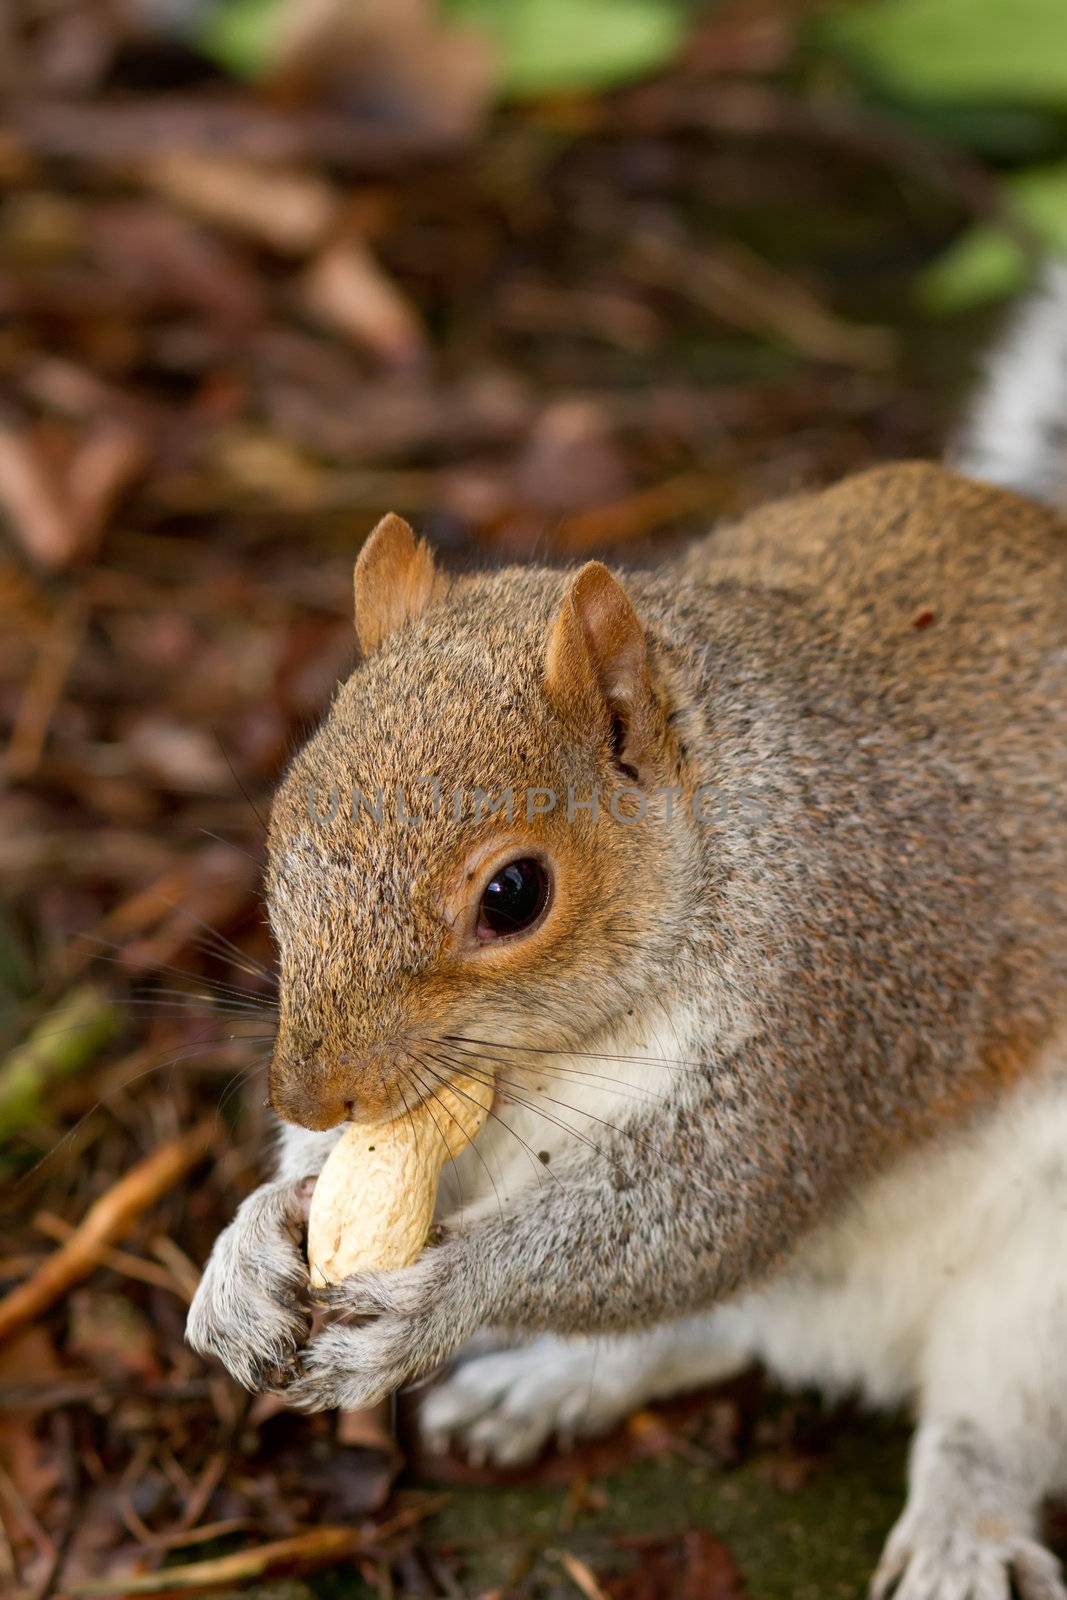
[(502, 1409)]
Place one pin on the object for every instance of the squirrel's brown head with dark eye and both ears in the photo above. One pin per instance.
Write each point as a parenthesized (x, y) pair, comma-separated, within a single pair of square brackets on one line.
[(470, 855)]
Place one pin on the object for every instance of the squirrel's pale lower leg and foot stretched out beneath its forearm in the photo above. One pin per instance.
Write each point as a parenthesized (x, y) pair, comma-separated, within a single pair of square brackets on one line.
[(503, 1407)]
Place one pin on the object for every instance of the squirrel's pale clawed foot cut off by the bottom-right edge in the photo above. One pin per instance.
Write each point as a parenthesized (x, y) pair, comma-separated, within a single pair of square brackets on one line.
[(932, 1559)]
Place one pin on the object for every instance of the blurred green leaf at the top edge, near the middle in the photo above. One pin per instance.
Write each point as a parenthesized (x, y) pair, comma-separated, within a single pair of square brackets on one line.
[(557, 46)]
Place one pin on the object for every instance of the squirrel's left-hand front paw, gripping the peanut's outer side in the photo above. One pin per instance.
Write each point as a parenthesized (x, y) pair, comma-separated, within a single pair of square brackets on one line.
[(252, 1306)]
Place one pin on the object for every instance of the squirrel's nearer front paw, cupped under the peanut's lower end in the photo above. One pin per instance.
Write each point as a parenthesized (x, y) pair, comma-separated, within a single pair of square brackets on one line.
[(410, 1324)]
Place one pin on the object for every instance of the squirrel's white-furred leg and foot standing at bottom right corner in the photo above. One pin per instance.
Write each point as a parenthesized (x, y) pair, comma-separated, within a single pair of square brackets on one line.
[(993, 1439)]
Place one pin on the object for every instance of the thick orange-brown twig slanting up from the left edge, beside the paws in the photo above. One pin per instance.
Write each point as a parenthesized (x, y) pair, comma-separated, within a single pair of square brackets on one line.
[(106, 1220)]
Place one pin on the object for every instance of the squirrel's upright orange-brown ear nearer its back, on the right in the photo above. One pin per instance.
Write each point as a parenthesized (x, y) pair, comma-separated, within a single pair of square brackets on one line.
[(597, 663)]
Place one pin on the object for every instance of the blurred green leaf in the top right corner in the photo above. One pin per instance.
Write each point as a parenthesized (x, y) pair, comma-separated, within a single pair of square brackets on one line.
[(959, 50)]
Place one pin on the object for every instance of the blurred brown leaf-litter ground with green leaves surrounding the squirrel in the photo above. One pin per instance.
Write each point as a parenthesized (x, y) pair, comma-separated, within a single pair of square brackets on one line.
[(549, 278)]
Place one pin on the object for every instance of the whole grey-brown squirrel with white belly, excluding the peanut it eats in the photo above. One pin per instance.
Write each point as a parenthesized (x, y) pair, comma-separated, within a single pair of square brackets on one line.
[(761, 929)]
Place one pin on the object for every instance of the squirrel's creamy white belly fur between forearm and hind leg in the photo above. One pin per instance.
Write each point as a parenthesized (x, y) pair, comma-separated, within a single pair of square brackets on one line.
[(860, 1306)]
